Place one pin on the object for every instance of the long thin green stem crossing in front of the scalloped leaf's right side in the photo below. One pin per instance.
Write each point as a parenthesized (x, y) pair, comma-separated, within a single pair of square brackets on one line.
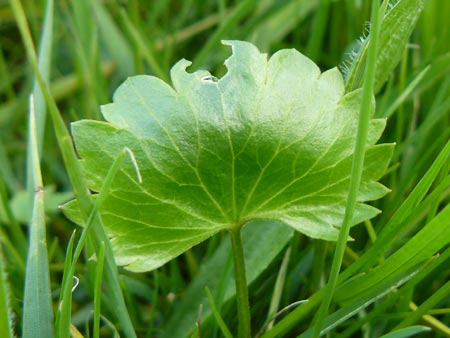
[(357, 168)]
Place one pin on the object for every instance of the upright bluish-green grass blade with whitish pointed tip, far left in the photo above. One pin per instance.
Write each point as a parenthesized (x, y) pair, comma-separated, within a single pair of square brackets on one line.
[(37, 307)]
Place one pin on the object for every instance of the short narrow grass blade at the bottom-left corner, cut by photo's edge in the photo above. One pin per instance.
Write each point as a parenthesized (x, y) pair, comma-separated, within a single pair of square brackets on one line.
[(6, 319)]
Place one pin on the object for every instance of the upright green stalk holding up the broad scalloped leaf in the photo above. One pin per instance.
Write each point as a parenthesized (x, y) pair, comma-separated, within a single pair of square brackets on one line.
[(243, 306)]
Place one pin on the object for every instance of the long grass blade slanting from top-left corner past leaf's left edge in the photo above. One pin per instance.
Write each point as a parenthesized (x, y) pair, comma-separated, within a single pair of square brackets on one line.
[(76, 177)]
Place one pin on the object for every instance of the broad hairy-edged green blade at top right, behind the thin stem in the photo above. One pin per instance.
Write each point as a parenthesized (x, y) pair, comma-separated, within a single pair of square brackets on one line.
[(396, 29)]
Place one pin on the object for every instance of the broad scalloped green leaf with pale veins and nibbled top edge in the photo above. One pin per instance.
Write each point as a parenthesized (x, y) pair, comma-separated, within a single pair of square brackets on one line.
[(272, 139)]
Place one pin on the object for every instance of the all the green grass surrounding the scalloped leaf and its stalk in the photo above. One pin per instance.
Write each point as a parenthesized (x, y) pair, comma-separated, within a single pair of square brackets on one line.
[(394, 275)]
